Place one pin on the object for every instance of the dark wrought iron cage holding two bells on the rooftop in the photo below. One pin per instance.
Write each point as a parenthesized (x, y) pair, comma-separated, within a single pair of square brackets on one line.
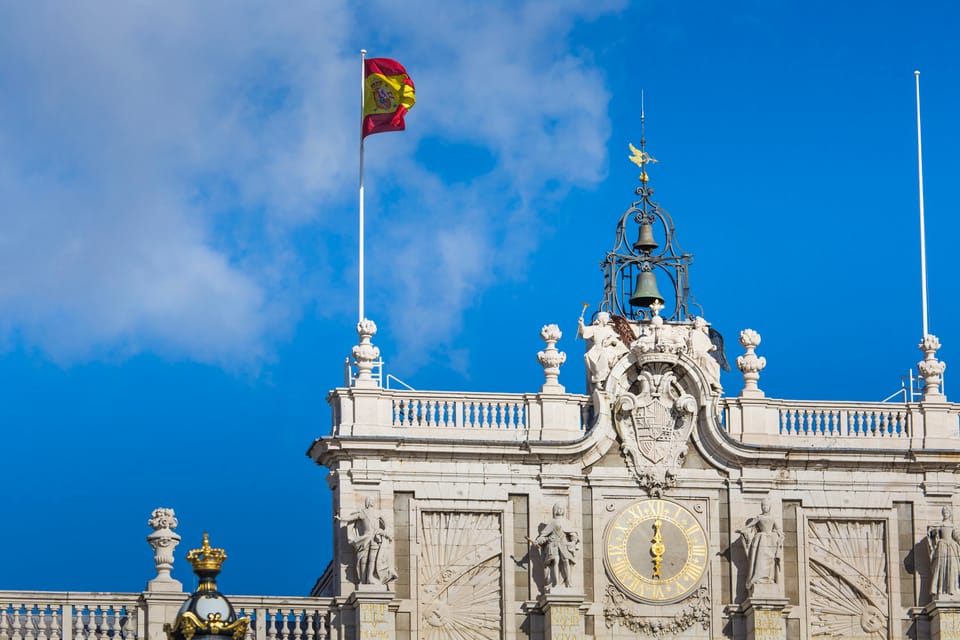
[(637, 250)]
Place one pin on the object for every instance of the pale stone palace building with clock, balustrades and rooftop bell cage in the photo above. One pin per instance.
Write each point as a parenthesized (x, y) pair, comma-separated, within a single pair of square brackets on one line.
[(656, 505)]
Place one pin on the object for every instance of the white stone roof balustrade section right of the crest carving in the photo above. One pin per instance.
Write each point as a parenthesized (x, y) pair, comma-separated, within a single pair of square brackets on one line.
[(815, 424)]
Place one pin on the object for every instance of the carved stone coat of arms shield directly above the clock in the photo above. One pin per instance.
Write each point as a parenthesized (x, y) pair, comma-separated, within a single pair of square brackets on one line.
[(654, 426)]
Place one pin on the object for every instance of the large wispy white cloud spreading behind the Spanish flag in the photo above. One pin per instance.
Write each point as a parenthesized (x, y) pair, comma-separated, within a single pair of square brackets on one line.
[(156, 162)]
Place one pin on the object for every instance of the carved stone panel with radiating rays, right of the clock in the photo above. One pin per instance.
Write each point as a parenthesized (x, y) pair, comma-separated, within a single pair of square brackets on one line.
[(848, 580)]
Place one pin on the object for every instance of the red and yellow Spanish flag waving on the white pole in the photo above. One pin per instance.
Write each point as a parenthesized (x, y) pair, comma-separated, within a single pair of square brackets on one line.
[(388, 95)]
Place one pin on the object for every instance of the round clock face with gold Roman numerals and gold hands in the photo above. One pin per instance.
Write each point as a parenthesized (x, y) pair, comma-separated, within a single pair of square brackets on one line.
[(656, 551)]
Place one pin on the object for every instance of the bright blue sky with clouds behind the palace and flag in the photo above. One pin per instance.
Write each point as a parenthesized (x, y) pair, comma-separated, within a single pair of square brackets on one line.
[(178, 230)]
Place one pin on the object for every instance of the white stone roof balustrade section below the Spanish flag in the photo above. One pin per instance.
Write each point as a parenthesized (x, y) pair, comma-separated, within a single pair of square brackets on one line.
[(472, 416)]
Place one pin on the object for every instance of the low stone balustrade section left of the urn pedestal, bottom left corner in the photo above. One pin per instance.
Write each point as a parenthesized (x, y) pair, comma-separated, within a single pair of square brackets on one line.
[(62, 615)]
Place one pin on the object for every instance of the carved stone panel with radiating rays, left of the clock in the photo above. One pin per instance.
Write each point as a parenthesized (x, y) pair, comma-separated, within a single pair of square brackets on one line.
[(460, 576)]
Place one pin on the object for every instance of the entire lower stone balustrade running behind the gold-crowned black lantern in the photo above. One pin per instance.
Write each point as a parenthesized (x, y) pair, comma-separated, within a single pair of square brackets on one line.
[(61, 615)]
